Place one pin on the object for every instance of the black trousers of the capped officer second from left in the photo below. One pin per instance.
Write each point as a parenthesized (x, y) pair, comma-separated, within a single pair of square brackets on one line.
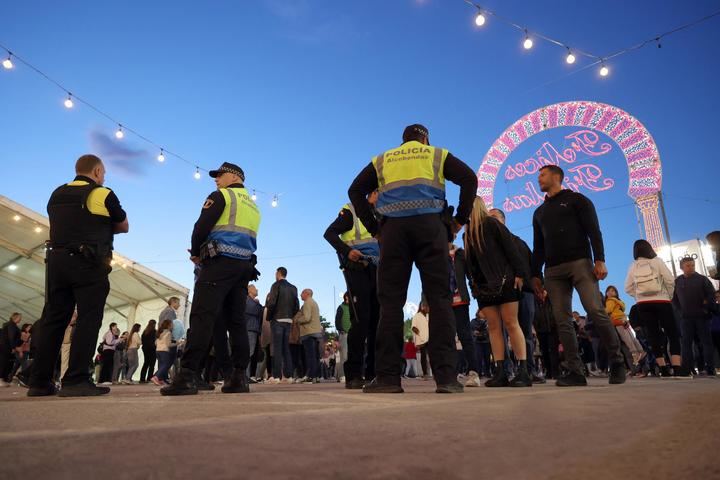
[(220, 289)]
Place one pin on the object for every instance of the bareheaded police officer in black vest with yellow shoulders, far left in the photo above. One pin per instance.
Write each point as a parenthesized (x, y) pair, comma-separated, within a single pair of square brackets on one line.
[(84, 216)]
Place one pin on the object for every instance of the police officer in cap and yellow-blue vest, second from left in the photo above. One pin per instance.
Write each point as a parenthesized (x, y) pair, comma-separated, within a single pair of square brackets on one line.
[(224, 241)]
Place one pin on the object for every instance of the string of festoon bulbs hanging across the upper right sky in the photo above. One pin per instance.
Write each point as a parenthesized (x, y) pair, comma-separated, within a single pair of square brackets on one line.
[(571, 54)]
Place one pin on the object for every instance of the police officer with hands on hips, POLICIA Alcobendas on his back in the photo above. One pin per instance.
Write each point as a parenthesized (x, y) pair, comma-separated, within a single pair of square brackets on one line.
[(411, 184)]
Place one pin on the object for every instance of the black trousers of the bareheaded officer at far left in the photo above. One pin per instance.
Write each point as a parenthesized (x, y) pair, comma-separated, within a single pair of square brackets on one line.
[(72, 281)]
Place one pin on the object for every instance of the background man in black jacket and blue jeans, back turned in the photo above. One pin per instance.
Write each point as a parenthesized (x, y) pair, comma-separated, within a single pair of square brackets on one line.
[(282, 305)]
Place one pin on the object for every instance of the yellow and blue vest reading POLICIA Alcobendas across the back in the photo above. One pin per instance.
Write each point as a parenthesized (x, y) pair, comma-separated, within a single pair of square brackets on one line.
[(410, 180)]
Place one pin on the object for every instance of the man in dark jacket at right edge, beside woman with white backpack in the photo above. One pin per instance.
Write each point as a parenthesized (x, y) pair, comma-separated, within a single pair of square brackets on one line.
[(694, 297)]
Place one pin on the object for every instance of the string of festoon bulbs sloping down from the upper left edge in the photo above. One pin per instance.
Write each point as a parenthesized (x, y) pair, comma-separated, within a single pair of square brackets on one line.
[(122, 128)]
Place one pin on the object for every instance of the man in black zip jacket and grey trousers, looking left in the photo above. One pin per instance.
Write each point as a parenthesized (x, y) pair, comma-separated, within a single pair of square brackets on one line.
[(566, 238)]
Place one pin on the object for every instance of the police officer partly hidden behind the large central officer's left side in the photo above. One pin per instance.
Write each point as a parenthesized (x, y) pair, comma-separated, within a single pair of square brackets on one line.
[(359, 255)]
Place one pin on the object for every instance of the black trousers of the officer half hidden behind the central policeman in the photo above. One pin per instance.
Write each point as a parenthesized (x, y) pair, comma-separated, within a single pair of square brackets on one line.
[(363, 286)]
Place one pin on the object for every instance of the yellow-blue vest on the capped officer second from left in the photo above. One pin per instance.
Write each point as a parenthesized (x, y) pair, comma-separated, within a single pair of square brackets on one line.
[(236, 230)]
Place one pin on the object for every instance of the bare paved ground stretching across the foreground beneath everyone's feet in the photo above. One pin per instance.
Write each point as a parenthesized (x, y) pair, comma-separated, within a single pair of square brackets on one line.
[(647, 428)]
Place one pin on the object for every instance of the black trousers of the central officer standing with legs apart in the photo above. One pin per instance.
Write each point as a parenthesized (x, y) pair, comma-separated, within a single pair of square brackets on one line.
[(421, 240)]
